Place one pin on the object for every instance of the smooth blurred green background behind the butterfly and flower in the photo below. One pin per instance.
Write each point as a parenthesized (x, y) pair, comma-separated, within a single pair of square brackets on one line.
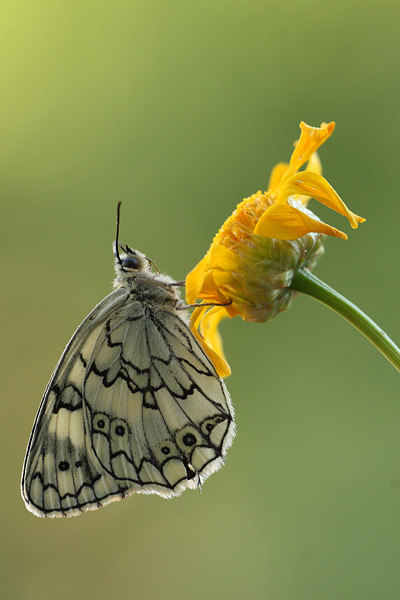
[(180, 109)]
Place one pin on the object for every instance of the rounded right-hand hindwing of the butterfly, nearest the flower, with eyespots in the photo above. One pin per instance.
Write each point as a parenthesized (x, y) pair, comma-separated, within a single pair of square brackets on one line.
[(159, 417)]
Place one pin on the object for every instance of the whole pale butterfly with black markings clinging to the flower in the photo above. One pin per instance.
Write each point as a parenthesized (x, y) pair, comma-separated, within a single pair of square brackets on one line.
[(134, 403)]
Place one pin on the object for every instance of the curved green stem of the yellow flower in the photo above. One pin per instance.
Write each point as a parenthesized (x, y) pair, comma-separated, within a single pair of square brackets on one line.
[(304, 281)]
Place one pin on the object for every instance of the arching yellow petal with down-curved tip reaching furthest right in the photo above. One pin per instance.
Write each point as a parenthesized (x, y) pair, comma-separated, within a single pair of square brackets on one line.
[(316, 186)]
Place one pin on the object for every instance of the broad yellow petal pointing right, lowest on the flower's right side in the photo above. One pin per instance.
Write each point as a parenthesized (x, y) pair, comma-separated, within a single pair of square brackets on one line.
[(285, 222)]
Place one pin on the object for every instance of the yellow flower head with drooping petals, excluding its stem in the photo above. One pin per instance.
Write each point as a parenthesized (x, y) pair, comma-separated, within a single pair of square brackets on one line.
[(267, 239)]
